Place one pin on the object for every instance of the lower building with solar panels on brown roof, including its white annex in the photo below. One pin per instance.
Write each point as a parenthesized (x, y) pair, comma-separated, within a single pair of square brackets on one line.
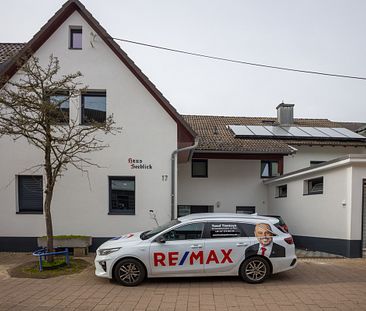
[(234, 170)]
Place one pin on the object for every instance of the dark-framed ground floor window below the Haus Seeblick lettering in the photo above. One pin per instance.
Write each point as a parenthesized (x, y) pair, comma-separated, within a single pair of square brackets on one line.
[(122, 195)]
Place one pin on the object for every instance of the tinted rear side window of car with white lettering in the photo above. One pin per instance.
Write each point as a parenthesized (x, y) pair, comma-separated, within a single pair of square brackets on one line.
[(218, 230)]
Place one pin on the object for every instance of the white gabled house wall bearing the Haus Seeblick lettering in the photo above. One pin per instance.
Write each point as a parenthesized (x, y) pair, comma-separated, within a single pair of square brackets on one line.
[(81, 202)]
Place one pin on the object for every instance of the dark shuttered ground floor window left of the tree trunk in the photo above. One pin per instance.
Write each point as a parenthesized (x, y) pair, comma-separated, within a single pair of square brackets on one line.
[(30, 194)]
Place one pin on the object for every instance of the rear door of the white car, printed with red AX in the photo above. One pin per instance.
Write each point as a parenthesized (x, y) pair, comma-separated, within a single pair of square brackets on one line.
[(225, 245)]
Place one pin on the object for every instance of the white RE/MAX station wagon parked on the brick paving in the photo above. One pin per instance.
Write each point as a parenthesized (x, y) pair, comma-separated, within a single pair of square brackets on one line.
[(214, 244)]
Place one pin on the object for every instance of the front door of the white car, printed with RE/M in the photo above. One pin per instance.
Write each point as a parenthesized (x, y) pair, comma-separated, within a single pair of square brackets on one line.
[(180, 251)]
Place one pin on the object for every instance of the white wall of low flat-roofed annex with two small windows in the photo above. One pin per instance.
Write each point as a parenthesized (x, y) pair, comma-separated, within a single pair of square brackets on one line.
[(335, 213)]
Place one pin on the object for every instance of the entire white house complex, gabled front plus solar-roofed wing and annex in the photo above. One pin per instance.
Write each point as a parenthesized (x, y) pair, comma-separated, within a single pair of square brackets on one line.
[(240, 164)]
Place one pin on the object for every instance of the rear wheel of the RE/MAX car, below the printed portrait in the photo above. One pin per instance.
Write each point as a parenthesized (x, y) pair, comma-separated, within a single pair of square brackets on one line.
[(254, 270)]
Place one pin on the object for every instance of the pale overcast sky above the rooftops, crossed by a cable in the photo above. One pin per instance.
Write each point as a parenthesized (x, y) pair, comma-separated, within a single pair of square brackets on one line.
[(327, 35)]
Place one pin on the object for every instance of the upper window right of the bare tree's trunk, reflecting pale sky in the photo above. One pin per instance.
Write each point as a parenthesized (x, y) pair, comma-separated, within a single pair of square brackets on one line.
[(93, 107)]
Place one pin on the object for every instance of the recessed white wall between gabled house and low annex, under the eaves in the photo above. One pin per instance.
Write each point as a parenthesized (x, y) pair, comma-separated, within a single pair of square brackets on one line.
[(230, 183)]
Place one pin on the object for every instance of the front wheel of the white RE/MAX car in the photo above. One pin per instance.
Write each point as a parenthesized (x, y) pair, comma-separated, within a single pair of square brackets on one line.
[(129, 272)]
